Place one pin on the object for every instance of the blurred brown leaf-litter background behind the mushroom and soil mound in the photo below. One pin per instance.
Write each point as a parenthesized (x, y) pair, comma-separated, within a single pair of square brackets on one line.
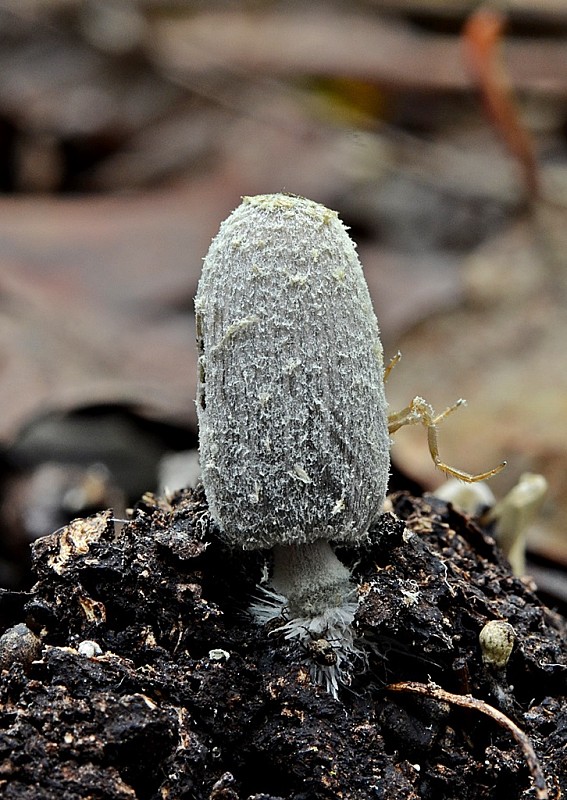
[(129, 129)]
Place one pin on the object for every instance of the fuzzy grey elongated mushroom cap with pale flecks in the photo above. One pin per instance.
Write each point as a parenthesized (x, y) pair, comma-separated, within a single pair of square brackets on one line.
[(293, 434)]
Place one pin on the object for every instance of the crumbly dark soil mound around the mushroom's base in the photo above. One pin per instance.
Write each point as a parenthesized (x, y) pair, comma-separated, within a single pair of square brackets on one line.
[(190, 699)]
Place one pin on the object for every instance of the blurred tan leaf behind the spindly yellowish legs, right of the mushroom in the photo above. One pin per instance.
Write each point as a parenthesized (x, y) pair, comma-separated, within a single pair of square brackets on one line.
[(504, 351)]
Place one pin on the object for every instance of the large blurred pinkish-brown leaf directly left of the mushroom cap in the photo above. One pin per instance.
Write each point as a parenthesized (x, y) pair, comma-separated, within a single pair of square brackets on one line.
[(96, 300)]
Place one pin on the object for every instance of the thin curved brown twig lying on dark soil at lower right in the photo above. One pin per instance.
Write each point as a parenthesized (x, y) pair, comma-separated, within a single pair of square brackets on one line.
[(467, 701)]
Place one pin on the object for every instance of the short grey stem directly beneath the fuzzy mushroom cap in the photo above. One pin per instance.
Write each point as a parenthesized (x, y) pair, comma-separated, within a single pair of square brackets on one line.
[(311, 577)]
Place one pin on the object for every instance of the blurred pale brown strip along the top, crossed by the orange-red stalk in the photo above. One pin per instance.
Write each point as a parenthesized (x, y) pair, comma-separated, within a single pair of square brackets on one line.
[(213, 45)]
